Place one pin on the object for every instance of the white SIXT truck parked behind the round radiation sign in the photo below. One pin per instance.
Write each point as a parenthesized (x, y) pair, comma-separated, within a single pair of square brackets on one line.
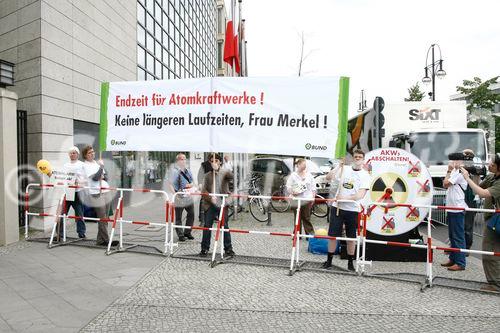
[(429, 130)]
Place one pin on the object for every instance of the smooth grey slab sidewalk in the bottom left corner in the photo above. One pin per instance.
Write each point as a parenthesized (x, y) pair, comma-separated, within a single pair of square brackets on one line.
[(62, 289)]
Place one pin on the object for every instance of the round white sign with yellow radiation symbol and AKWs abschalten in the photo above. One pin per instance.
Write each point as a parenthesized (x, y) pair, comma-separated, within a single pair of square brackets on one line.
[(397, 177)]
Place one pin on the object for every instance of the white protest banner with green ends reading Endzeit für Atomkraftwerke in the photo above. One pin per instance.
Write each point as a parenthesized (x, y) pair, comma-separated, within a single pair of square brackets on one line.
[(287, 116)]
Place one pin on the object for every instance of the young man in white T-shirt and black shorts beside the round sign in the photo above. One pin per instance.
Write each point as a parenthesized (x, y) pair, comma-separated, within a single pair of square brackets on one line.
[(354, 182)]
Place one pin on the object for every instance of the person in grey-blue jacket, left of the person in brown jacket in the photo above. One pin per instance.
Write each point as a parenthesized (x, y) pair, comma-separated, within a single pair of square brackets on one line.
[(181, 180)]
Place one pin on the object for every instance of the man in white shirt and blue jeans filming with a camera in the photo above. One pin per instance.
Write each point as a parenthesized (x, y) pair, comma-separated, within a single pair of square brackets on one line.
[(455, 185)]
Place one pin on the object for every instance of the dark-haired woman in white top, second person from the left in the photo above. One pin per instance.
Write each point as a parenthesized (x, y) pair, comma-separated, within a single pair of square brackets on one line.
[(99, 199)]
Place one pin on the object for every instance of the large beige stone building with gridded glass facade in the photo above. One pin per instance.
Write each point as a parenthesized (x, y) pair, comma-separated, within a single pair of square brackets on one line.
[(64, 49)]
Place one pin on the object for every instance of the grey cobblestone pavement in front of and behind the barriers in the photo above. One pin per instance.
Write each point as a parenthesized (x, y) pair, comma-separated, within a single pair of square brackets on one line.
[(185, 295)]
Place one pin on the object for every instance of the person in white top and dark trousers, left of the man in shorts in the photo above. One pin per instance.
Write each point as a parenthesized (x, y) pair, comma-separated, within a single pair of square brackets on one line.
[(301, 184)]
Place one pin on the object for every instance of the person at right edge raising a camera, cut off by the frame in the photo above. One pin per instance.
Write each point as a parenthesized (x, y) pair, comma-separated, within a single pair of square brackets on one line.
[(489, 189)]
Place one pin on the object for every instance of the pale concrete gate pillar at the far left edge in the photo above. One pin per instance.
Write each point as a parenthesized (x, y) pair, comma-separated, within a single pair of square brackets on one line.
[(9, 219)]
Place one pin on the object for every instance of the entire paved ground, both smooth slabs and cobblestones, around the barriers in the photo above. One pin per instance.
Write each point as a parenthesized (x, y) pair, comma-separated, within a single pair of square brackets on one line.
[(71, 288)]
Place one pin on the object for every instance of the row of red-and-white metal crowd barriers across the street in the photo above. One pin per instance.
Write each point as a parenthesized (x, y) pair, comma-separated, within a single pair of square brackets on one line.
[(296, 236)]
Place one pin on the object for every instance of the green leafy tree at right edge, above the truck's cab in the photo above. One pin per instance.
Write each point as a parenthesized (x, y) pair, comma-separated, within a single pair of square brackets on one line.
[(478, 94)]
